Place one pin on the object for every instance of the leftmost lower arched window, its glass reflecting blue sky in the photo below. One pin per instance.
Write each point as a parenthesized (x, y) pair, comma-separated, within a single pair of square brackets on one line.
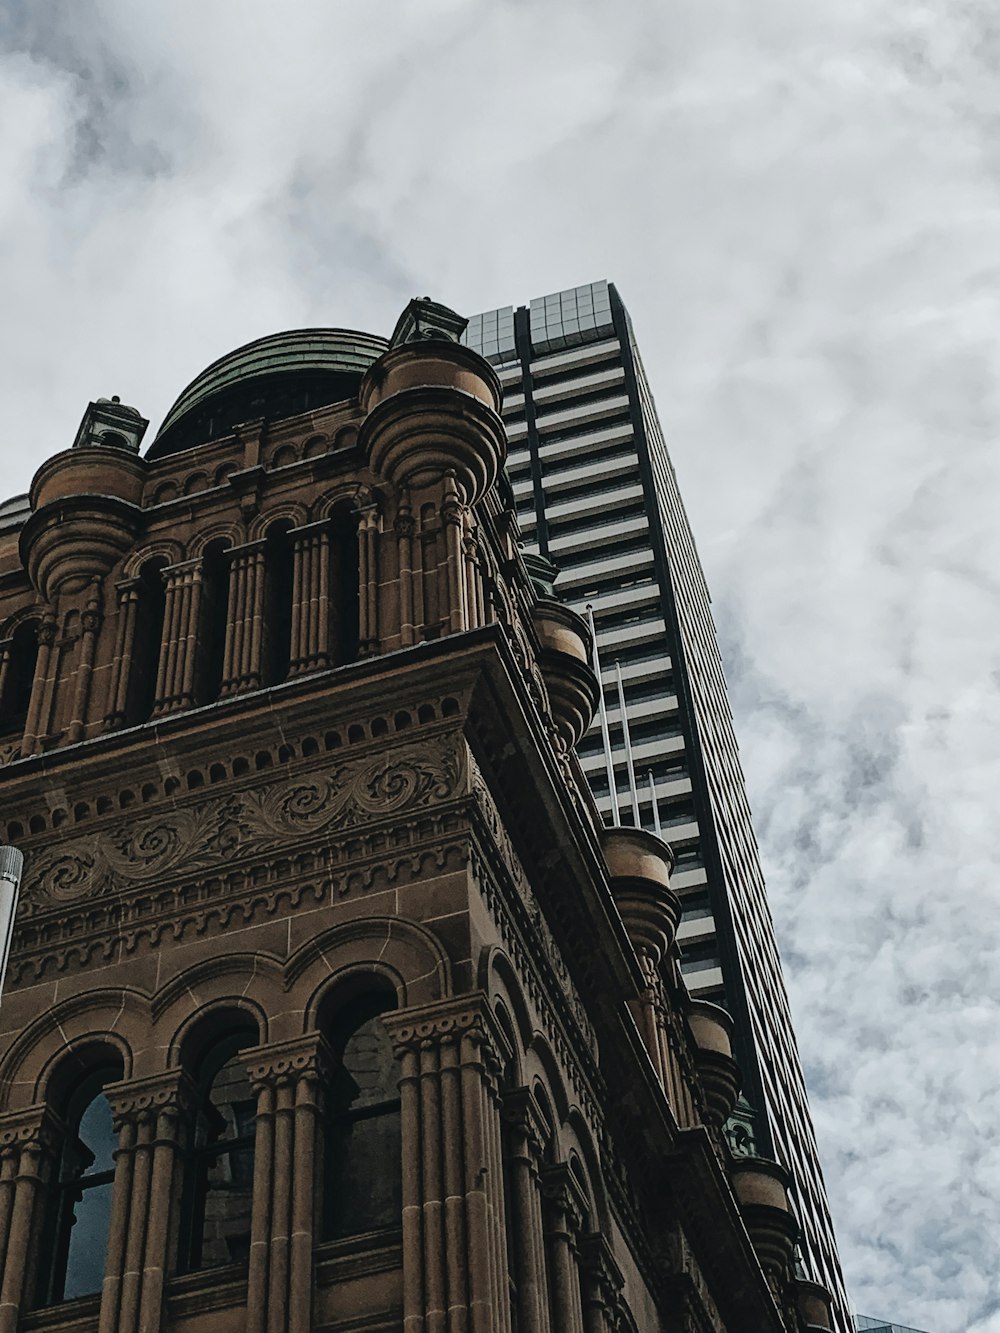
[(79, 1210)]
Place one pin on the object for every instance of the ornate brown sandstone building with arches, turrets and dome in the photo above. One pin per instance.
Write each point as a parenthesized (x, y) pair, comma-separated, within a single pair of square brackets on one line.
[(333, 1004)]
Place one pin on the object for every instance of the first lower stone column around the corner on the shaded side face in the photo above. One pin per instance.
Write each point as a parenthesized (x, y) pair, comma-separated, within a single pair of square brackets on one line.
[(526, 1142)]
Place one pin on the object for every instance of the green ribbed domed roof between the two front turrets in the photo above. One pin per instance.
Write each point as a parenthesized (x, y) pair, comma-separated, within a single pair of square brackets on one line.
[(274, 378)]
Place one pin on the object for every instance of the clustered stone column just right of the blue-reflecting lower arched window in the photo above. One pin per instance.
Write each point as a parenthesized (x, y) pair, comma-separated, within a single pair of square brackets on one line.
[(151, 1118)]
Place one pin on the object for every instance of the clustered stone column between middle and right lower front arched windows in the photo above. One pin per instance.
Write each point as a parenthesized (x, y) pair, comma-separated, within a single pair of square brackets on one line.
[(289, 1079)]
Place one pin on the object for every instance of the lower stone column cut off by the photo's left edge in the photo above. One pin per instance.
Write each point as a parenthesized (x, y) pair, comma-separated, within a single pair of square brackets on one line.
[(30, 1144)]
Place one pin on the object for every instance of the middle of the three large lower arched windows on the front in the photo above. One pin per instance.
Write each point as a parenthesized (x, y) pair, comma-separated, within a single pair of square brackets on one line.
[(219, 1168)]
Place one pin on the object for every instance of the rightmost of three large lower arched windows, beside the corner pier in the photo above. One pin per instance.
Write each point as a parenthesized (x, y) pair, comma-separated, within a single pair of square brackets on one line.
[(363, 1168)]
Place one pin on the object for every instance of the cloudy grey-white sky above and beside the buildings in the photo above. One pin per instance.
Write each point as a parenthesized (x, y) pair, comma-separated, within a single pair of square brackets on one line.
[(801, 205)]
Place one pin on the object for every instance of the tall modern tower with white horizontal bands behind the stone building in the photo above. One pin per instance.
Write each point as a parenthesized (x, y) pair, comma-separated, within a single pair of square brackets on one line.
[(597, 494)]
